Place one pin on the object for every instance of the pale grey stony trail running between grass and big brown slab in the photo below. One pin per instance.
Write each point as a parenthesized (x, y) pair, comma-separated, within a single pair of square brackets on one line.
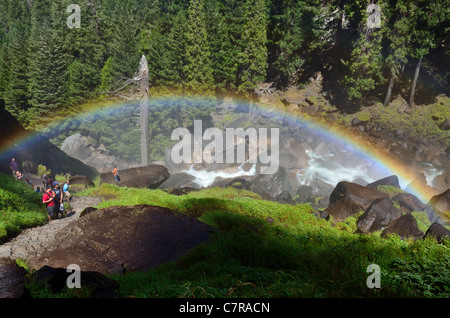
[(32, 242)]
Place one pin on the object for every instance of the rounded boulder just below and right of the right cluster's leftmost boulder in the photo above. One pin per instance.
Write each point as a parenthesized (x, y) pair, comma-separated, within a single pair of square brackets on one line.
[(378, 216)]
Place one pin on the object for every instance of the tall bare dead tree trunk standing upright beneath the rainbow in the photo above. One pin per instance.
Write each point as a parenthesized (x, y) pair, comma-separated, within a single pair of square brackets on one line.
[(144, 112)]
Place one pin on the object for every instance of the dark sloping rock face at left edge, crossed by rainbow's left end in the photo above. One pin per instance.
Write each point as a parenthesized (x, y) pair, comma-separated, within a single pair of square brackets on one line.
[(17, 142)]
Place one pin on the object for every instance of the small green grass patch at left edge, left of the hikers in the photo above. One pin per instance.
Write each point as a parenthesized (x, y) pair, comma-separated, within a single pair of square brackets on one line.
[(20, 207)]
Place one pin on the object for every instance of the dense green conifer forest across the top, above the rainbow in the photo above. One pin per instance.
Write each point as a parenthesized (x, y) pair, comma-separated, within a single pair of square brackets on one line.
[(221, 47)]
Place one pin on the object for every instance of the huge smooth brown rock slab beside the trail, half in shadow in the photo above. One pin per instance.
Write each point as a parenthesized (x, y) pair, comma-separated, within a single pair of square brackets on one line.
[(115, 239)]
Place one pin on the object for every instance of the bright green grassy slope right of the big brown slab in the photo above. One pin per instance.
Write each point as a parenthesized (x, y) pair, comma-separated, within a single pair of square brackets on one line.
[(294, 255)]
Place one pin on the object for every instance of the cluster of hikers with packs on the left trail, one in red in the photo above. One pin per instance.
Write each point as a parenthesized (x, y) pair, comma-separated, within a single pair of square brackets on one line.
[(53, 196)]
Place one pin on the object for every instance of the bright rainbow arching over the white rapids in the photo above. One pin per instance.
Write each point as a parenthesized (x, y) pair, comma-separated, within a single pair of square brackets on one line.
[(360, 145)]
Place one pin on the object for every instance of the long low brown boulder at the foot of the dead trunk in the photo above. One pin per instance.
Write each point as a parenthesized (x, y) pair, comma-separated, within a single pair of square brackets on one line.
[(151, 176)]
